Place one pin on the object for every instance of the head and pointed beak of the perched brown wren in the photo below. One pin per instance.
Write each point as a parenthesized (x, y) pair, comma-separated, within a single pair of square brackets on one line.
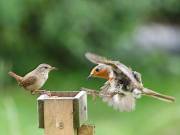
[(45, 68)]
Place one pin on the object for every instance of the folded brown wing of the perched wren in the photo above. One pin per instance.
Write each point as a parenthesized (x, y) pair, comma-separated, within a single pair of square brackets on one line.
[(28, 81)]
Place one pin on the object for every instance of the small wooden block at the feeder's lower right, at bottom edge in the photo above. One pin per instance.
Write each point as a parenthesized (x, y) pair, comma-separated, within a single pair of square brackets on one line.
[(86, 130)]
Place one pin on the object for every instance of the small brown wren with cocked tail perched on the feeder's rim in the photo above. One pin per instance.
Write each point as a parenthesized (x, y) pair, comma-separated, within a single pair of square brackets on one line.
[(35, 79)]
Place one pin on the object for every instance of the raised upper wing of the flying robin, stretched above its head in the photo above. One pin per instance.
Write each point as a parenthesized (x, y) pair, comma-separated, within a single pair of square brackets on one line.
[(117, 66)]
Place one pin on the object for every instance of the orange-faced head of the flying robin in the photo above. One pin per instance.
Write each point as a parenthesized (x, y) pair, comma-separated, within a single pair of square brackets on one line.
[(101, 71)]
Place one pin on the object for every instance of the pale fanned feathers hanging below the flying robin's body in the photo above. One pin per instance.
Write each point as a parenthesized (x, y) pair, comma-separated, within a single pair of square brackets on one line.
[(123, 103)]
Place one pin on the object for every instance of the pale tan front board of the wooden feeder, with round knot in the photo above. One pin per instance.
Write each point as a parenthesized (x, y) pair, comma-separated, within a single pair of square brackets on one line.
[(58, 115)]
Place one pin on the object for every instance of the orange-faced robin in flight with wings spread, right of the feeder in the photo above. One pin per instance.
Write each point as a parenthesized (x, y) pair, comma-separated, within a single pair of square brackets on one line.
[(123, 87)]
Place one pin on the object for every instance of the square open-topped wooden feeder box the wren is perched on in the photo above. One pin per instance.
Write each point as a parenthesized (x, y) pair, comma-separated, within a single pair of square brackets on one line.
[(63, 113)]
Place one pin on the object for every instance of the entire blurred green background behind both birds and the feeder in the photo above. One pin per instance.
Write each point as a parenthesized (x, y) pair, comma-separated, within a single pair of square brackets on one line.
[(143, 34)]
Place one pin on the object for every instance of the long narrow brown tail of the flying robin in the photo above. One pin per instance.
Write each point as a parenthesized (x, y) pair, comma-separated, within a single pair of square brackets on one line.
[(159, 96)]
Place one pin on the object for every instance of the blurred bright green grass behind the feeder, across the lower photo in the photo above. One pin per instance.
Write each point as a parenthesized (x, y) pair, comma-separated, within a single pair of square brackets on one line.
[(18, 111)]
